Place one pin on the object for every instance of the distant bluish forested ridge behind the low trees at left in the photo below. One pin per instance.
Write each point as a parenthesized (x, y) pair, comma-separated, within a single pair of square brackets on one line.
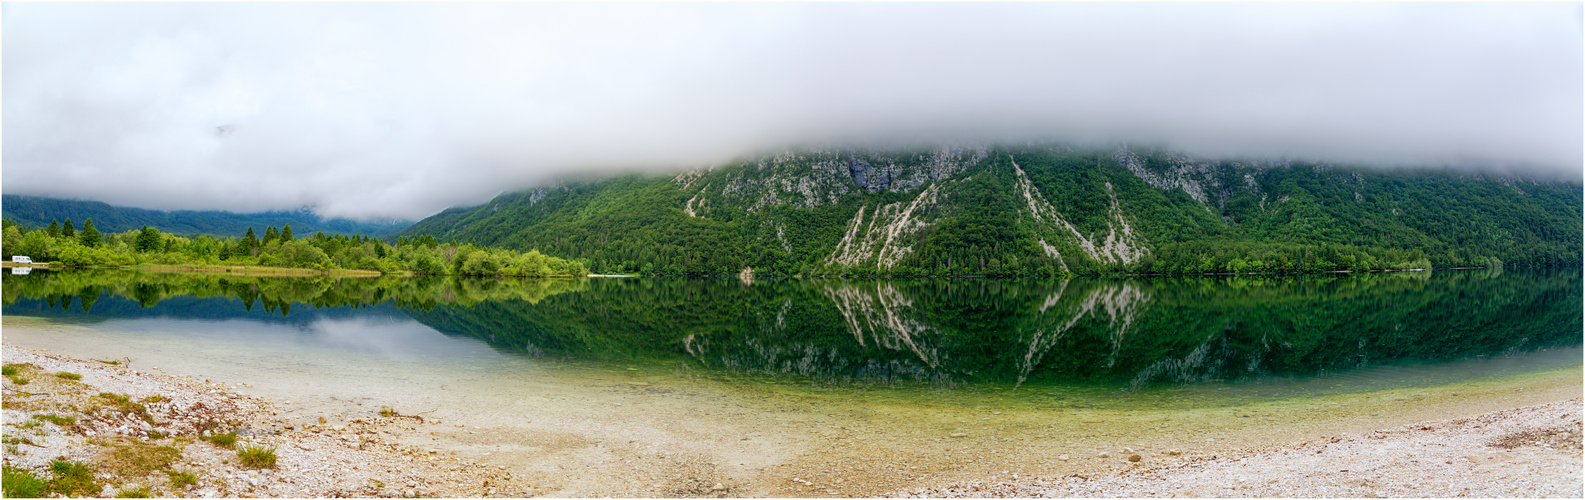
[(37, 212)]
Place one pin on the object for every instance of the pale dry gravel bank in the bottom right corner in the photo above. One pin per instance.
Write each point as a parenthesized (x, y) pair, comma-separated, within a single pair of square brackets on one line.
[(1532, 452)]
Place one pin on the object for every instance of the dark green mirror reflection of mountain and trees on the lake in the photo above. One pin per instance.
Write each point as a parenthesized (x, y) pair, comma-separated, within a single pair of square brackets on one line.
[(1109, 333)]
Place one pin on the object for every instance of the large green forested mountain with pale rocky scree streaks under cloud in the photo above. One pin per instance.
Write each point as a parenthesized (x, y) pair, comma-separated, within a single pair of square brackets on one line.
[(1031, 210)]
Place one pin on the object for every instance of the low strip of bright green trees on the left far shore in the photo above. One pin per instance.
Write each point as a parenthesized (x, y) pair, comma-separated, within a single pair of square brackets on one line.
[(88, 247)]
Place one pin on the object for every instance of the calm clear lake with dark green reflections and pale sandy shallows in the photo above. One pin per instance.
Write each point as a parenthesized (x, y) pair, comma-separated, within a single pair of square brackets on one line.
[(798, 377)]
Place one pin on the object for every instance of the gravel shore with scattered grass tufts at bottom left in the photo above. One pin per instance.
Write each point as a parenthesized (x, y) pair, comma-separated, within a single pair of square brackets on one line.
[(55, 417)]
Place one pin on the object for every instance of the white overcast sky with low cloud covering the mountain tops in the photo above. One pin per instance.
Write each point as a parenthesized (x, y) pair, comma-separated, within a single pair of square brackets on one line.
[(400, 110)]
